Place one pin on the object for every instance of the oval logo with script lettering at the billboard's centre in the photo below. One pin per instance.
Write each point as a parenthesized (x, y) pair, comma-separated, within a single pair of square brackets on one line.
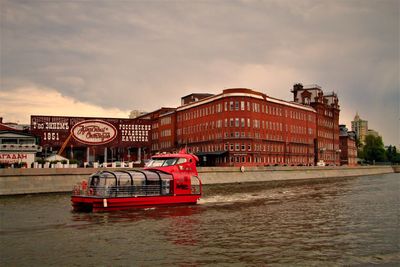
[(94, 132)]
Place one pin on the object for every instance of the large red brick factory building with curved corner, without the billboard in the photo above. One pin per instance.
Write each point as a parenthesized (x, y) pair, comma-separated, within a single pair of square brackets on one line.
[(244, 127)]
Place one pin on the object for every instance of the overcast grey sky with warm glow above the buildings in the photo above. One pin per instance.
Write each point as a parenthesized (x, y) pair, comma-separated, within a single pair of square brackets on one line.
[(105, 58)]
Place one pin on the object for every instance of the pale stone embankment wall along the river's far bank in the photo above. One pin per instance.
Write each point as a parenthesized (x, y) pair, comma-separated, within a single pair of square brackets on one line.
[(27, 181)]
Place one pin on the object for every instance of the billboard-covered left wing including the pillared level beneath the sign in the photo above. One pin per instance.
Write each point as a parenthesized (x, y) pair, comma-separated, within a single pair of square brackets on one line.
[(92, 139)]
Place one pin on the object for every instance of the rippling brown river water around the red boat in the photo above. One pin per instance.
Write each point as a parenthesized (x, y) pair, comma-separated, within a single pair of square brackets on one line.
[(346, 221)]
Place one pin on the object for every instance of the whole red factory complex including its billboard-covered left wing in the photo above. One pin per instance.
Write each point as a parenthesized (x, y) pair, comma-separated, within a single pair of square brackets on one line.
[(237, 127)]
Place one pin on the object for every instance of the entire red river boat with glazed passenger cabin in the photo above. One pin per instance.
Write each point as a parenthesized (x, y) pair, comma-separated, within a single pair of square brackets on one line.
[(167, 179)]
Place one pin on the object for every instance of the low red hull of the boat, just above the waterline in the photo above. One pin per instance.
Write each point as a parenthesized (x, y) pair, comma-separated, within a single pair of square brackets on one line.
[(99, 204)]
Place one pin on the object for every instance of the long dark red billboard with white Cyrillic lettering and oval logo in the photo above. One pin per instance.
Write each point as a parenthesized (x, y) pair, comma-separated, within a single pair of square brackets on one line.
[(79, 131)]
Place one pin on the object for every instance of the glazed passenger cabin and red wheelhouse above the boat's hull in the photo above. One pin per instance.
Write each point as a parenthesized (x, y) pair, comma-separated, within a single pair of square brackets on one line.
[(166, 174)]
